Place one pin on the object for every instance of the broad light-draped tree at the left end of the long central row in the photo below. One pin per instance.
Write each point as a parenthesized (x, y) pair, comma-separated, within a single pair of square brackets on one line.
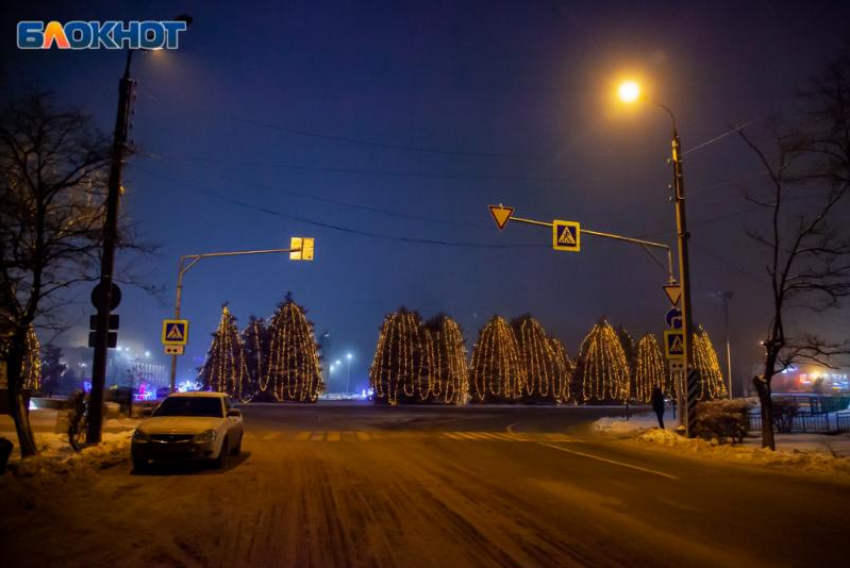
[(403, 368)]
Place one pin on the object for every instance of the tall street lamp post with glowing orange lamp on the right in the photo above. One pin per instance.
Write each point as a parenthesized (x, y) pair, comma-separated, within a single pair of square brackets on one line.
[(630, 92)]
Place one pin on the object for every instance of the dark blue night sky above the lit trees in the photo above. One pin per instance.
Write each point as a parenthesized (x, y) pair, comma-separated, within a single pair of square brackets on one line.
[(376, 126)]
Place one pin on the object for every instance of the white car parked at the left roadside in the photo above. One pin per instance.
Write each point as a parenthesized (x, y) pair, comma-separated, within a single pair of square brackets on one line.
[(189, 426)]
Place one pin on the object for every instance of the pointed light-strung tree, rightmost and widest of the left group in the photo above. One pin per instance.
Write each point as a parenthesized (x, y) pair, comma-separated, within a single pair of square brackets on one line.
[(293, 372)]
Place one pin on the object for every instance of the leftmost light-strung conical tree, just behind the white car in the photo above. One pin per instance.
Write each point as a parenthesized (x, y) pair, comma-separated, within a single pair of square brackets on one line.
[(225, 369)]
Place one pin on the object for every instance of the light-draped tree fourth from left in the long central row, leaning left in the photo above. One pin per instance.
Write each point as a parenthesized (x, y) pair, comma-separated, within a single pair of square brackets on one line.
[(547, 377)]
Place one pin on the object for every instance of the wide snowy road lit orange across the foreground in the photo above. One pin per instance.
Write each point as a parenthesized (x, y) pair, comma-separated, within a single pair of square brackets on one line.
[(345, 484)]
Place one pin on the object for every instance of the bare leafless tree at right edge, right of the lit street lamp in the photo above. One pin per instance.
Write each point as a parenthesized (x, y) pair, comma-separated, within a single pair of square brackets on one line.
[(805, 237)]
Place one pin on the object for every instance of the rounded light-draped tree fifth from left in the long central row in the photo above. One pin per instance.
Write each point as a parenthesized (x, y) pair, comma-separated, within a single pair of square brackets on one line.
[(603, 368)]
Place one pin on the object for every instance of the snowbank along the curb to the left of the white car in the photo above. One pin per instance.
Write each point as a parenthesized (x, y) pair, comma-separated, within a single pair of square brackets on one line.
[(58, 461)]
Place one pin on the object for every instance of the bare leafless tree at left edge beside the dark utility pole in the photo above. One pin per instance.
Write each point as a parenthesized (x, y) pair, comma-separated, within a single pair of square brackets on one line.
[(52, 173)]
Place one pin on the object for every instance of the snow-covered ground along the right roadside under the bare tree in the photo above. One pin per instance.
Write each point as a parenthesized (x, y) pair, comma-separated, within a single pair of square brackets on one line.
[(822, 453)]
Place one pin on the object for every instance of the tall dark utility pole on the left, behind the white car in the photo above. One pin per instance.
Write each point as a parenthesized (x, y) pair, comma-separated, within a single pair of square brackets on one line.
[(107, 260)]
